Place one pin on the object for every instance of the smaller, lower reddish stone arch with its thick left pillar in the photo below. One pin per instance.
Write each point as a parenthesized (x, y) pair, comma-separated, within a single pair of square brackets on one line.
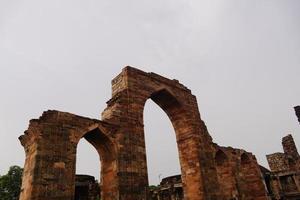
[(50, 144)]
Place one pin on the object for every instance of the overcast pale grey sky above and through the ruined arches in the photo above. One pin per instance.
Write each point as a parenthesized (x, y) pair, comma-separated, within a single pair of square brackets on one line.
[(240, 58)]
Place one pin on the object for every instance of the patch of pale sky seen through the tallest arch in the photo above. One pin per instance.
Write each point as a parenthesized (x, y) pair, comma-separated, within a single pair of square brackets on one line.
[(161, 145)]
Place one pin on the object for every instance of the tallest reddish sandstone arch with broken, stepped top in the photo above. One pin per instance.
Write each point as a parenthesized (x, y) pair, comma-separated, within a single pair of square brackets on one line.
[(131, 89)]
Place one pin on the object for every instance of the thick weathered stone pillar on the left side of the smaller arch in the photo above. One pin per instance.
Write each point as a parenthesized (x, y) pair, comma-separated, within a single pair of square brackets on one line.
[(48, 166)]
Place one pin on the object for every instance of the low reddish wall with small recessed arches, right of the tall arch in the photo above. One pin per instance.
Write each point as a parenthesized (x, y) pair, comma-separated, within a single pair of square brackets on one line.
[(239, 174)]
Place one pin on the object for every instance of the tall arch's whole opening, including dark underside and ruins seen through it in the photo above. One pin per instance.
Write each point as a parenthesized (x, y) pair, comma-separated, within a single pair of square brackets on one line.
[(162, 117)]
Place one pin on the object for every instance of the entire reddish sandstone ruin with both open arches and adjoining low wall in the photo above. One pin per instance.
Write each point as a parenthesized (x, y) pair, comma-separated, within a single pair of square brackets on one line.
[(208, 171)]
